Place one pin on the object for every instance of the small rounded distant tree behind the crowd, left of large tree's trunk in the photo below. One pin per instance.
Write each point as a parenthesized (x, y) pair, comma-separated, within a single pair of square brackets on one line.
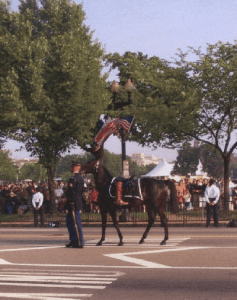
[(33, 171)]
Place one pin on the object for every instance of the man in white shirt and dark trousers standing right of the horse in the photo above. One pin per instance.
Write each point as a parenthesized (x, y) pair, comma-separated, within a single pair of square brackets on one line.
[(212, 195)]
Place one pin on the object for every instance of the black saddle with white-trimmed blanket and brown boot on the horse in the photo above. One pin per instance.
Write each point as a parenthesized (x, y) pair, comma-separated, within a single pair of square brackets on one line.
[(124, 188)]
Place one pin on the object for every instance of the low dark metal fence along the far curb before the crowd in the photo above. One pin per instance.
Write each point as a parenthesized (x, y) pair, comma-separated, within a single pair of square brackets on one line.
[(188, 215)]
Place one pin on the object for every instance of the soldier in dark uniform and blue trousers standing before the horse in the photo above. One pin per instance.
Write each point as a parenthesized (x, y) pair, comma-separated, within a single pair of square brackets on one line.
[(73, 207)]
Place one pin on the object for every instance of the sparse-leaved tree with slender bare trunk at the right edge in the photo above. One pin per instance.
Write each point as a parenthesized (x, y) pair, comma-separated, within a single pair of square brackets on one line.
[(214, 77)]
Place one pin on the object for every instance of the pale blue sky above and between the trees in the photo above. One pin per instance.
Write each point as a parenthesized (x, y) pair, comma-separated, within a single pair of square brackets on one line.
[(156, 28)]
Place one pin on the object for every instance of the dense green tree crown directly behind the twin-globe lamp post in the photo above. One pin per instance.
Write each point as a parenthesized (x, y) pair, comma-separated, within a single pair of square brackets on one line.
[(160, 96)]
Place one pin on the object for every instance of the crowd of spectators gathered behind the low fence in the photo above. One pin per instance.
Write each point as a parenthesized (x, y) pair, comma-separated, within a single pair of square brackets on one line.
[(17, 198)]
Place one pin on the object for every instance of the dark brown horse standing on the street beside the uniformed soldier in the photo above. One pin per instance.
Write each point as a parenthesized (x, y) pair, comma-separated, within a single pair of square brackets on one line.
[(154, 193)]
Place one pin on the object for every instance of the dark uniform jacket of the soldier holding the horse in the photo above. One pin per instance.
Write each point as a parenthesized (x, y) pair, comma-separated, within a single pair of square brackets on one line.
[(74, 192)]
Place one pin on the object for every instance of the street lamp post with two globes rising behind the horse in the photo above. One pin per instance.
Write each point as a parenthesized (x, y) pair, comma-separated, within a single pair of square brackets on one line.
[(129, 87)]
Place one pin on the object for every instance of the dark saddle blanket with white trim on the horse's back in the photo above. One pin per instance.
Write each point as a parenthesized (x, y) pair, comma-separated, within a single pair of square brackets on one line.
[(131, 187)]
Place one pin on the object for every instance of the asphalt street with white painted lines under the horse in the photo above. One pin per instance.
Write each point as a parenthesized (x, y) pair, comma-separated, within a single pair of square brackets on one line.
[(196, 263)]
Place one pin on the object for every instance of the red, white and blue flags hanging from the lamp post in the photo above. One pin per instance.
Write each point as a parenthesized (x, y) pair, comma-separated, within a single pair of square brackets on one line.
[(110, 127)]
